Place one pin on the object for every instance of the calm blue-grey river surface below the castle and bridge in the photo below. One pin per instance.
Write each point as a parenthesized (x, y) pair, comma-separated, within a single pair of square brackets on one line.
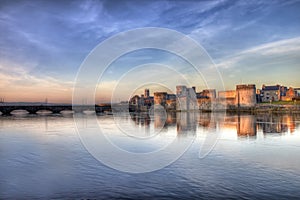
[(41, 156)]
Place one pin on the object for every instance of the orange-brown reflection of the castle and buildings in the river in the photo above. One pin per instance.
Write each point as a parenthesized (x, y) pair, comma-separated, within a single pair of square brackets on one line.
[(242, 124)]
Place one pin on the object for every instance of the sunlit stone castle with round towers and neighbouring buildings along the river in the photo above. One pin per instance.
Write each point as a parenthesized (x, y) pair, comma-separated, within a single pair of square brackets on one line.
[(187, 99)]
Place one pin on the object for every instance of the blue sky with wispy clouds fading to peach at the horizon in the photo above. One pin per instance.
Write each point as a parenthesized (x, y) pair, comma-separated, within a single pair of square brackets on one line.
[(44, 43)]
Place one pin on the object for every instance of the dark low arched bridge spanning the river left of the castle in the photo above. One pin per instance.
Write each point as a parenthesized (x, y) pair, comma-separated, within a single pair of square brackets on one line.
[(33, 109)]
